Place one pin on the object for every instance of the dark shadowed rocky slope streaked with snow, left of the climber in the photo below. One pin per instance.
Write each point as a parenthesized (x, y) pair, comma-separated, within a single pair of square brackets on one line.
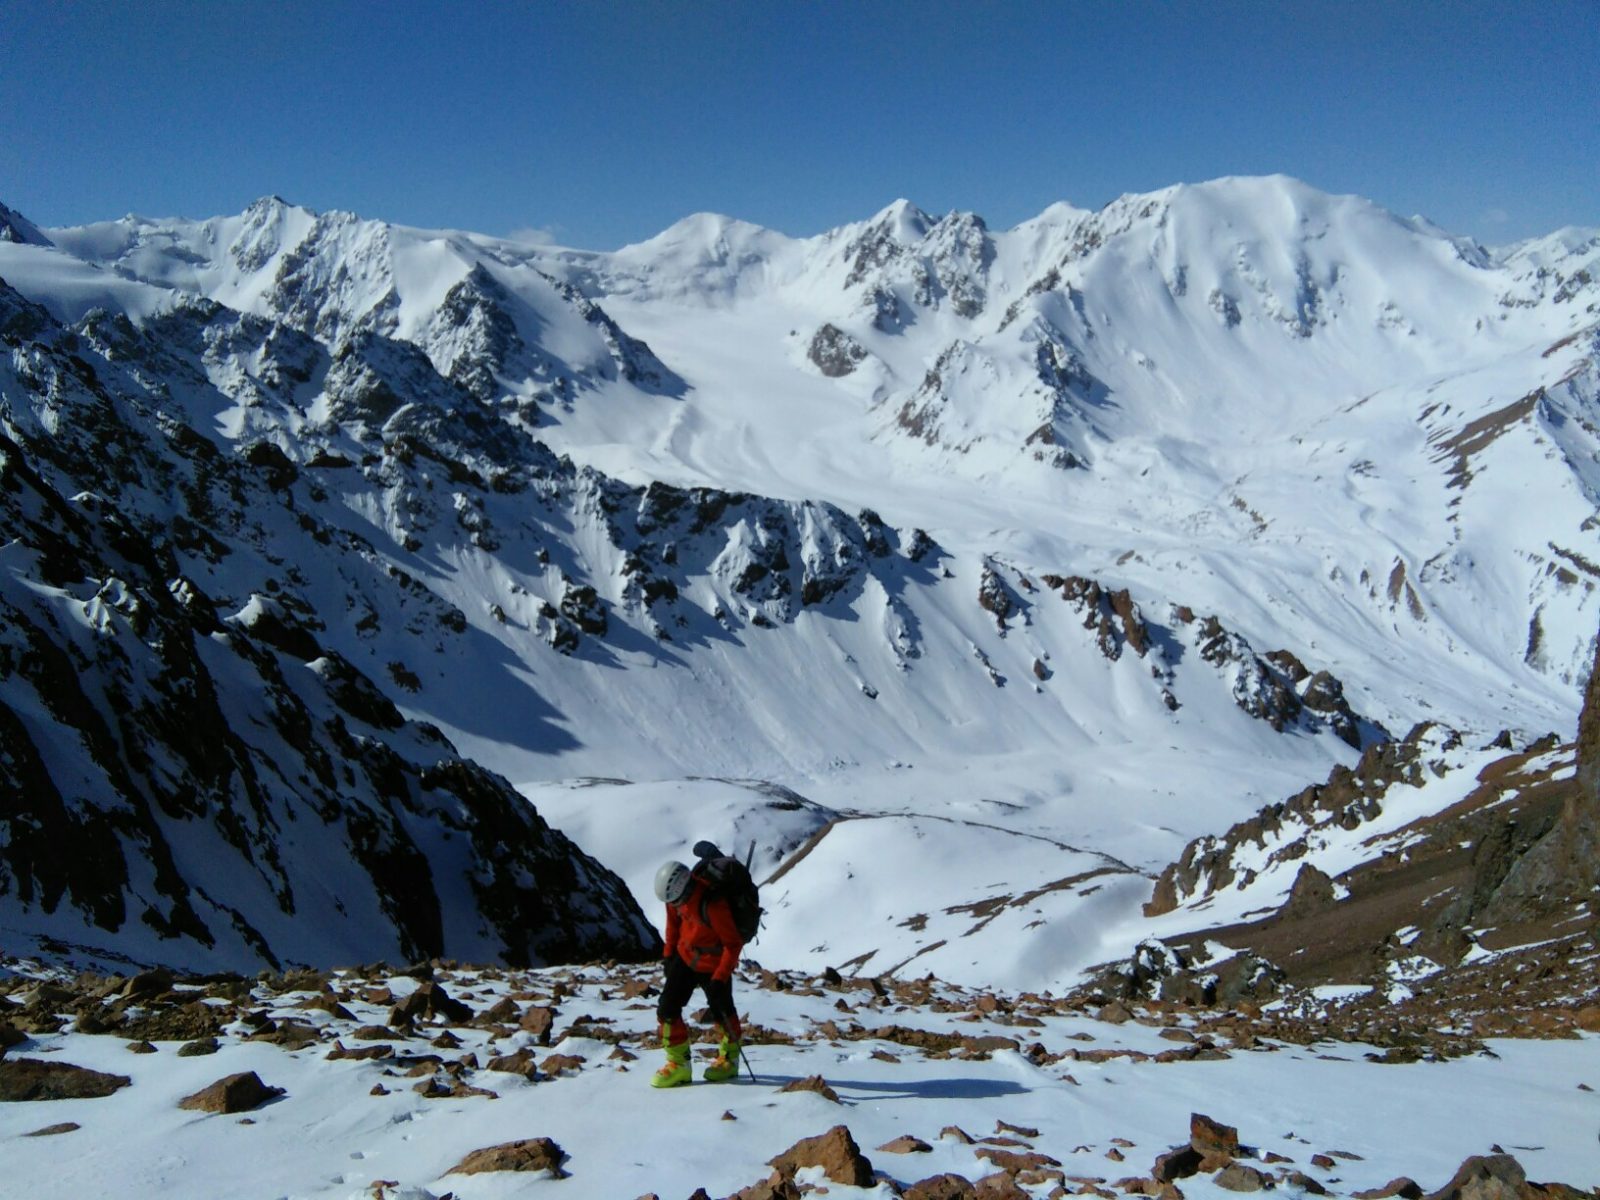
[(194, 778)]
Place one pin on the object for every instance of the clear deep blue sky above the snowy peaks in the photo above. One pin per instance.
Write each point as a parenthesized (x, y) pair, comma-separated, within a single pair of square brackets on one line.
[(601, 124)]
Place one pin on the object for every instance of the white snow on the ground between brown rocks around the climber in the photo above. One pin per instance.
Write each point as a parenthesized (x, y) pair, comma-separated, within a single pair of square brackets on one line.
[(329, 1138)]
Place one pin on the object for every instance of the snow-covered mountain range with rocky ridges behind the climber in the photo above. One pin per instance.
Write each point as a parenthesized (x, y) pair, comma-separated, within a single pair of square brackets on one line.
[(1020, 556)]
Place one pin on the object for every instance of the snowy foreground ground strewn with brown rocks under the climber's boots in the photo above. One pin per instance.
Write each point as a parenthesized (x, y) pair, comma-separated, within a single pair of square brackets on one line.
[(537, 1046)]
